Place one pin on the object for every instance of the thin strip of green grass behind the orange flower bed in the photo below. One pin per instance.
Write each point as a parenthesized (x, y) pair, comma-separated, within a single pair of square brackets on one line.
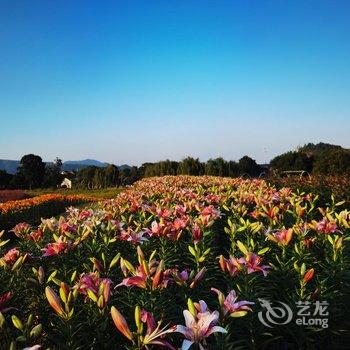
[(103, 193)]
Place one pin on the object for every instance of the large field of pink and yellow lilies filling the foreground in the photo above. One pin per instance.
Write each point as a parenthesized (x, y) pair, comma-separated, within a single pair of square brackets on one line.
[(180, 262)]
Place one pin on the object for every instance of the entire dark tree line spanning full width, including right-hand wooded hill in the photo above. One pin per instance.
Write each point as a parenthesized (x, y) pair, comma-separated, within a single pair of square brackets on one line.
[(321, 158)]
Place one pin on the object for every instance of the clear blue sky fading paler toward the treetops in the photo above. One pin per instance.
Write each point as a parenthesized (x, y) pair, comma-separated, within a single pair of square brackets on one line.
[(134, 81)]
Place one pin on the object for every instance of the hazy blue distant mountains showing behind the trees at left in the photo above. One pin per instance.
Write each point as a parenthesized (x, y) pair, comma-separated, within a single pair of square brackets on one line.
[(11, 165)]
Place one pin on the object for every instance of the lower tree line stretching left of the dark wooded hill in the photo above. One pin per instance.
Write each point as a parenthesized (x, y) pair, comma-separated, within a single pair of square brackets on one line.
[(34, 173)]
